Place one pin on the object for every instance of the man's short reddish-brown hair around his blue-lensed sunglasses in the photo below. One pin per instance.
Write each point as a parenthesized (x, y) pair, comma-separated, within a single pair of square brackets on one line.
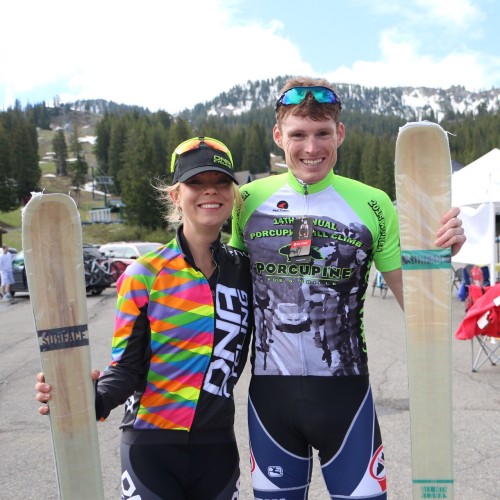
[(309, 107)]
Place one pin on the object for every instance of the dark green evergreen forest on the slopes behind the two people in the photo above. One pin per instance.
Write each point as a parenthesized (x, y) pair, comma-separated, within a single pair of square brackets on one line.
[(133, 146)]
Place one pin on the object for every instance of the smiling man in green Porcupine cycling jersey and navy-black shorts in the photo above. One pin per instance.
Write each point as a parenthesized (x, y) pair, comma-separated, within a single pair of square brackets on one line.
[(310, 388)]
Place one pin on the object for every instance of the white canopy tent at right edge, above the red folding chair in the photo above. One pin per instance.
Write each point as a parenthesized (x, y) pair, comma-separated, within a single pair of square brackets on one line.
[(476, 190)]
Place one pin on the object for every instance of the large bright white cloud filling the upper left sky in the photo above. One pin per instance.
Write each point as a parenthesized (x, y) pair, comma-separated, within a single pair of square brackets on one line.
[(155, 54)]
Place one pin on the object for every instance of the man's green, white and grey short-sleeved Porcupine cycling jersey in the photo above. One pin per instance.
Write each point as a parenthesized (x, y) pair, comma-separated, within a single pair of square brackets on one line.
[(309, 316)]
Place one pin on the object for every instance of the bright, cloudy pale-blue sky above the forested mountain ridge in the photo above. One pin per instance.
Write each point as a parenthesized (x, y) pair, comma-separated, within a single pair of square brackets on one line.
[(172, 55)]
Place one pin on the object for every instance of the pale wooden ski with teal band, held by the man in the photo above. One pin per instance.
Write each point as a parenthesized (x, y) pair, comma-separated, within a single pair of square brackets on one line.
[(423, 192)]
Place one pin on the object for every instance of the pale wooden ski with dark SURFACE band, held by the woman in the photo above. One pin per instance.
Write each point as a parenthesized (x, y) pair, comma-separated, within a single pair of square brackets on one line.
[(52, 244)]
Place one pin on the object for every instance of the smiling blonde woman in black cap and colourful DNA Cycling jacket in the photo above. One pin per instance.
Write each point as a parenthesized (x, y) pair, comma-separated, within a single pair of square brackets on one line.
[(183, 324)]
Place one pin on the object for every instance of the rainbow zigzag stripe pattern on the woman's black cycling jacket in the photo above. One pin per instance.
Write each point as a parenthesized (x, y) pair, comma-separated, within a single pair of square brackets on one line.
[(180, 313)]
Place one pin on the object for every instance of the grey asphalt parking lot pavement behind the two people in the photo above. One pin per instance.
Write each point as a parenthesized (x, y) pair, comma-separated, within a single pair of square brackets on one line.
[(27, 470)]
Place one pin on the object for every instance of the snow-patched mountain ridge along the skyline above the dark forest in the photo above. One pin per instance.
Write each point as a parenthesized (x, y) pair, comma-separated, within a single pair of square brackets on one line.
[(406, 102)]
